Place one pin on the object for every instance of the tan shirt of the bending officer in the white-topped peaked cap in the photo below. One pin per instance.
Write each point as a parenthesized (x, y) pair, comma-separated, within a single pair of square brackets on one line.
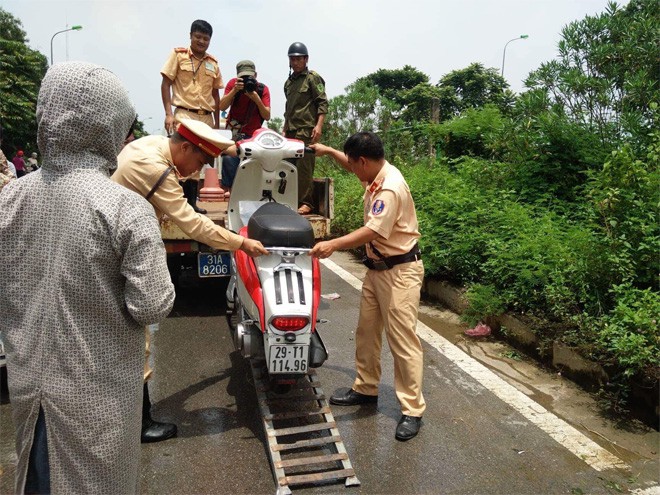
[(141, 164)]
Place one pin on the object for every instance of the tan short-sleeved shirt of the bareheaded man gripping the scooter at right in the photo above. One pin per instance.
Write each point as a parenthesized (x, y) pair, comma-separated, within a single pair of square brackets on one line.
[(389, 210)]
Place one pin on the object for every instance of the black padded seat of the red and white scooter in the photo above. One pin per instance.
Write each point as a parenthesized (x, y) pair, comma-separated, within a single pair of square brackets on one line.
[(277, 225)]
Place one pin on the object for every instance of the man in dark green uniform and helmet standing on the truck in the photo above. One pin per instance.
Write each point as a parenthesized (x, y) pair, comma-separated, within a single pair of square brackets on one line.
[(304, 115)]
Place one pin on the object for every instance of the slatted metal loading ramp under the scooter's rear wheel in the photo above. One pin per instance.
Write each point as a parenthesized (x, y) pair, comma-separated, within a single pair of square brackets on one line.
[(304, 444)]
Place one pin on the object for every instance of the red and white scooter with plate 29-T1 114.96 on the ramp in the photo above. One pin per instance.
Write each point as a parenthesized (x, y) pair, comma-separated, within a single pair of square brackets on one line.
[(273, 300)]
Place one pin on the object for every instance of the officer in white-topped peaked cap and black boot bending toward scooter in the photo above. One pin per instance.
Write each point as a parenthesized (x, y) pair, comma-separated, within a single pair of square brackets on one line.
[(153, 166)]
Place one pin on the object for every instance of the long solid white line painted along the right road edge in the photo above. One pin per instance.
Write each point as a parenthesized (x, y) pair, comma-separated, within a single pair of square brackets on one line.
[(580, 445)]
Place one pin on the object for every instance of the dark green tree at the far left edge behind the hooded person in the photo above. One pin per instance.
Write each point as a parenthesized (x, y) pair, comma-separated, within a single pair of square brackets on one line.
[(21, 72)]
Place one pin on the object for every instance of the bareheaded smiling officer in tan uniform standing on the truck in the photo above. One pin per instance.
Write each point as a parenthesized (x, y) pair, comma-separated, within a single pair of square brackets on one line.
[(191, 84)]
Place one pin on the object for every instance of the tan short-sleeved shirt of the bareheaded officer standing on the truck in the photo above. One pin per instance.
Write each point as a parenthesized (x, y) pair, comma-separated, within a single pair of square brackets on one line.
[(193, 80)]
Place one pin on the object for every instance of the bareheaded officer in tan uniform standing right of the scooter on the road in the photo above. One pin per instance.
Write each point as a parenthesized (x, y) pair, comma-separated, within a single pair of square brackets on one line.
[(391, 288)]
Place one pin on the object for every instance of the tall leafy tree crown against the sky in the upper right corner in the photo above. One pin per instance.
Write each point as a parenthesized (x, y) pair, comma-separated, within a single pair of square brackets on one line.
[(606, 74)]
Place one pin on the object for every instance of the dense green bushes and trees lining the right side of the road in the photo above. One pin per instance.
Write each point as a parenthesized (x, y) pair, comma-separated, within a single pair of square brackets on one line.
[(545, 203)]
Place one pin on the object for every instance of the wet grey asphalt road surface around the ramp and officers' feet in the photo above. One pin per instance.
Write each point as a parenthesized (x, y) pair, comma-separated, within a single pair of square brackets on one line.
[(474, 440)]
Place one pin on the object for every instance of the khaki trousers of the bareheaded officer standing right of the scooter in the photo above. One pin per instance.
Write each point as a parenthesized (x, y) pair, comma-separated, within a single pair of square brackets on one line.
[(390, 301)]
